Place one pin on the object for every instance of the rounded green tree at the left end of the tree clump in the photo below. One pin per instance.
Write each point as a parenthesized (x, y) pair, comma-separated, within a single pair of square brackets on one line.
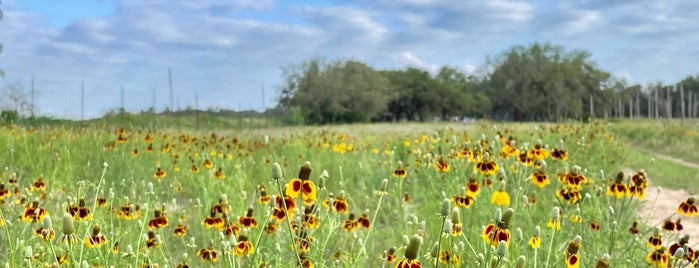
[(336, 92)]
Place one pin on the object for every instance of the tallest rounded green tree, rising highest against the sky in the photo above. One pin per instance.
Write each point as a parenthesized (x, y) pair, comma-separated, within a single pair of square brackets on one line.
[(543, 82)]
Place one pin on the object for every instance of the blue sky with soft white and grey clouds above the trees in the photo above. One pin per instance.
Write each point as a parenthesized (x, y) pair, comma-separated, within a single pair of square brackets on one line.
[(226, 54)]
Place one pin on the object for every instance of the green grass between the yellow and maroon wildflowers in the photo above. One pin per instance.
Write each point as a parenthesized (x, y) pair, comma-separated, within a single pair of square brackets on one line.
[(357, 158)]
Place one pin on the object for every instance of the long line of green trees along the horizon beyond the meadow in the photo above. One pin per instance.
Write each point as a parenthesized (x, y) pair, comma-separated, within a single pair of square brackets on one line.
[(539, 82)]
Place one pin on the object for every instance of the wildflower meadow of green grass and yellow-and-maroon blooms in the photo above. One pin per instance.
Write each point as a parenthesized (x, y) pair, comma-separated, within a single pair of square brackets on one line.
[(383, 195)]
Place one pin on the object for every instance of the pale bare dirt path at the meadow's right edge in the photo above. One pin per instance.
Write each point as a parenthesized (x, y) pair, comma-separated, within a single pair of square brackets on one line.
[(661, 205)]
